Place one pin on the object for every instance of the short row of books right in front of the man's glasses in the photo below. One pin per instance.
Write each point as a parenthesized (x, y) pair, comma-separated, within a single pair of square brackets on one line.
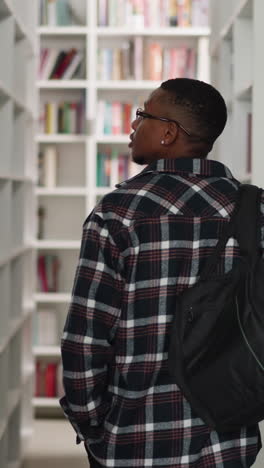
[(114, 118)]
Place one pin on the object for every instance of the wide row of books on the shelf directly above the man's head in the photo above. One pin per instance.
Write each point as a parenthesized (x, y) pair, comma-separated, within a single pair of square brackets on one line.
[(138, 61)]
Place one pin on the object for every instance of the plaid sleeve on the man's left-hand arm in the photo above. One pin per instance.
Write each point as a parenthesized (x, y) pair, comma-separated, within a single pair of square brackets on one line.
[(87, 341)]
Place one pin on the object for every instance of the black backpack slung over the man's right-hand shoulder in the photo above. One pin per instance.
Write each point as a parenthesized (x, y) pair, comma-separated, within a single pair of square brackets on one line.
[(216, 351)]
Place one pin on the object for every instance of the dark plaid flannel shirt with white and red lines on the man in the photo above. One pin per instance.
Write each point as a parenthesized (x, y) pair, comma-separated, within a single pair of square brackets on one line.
[(144, 243)]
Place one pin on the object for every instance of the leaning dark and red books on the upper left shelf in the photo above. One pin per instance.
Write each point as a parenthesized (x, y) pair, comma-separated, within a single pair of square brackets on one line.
[(61, 64)]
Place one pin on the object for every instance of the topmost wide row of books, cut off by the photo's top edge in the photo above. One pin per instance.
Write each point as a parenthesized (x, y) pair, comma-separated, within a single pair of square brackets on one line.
[(153, 13)]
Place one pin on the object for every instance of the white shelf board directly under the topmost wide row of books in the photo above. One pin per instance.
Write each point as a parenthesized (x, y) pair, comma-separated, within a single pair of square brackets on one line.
[(106, 31)]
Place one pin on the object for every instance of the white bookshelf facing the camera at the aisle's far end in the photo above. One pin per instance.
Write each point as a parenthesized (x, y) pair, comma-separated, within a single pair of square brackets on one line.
[(73, 197)]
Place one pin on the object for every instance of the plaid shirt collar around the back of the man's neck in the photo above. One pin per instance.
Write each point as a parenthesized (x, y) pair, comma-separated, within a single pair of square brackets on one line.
[(201, 167)]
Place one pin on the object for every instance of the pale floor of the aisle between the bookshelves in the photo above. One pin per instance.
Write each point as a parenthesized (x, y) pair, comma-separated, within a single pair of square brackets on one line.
[(53, 446)]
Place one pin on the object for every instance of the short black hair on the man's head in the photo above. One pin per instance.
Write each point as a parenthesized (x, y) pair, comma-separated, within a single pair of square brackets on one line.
[(202, 102)]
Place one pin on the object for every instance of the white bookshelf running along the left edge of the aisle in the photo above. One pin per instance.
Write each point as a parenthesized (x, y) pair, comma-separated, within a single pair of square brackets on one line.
[(18, 52)]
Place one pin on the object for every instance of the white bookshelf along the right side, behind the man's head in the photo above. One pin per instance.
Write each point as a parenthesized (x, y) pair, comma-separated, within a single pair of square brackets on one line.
[(238, 72)]
